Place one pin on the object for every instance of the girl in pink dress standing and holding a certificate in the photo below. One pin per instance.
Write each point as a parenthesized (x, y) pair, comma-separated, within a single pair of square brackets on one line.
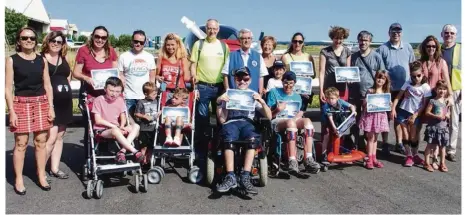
[(375, 123)]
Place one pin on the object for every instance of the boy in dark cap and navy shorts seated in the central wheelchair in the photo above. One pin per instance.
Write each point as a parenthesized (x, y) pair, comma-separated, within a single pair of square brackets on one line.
[(239, 125)]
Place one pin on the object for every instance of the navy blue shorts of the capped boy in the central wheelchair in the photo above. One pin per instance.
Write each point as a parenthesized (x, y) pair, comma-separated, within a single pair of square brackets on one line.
[(238, 130)]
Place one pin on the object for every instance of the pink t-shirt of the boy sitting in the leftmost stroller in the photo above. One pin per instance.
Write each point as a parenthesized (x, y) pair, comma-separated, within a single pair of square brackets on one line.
[(109, 111)]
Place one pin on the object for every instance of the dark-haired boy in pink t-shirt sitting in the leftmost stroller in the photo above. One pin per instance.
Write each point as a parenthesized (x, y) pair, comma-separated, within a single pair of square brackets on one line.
[(107, 109)]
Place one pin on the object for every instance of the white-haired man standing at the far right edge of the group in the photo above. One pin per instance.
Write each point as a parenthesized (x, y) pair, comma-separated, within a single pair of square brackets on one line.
[(451, 52)]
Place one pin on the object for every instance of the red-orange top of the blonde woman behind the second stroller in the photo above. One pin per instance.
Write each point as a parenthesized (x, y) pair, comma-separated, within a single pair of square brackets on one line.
[(170, 71)]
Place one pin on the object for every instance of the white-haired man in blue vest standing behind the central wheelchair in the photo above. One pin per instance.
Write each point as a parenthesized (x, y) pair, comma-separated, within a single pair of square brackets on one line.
[(245, 57)]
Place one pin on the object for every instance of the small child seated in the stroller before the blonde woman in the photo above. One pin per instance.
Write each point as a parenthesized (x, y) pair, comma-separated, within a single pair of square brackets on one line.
[(179, 99)]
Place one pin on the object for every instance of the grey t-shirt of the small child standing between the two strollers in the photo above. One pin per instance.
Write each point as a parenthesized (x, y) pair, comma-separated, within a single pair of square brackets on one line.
[(150, 108)]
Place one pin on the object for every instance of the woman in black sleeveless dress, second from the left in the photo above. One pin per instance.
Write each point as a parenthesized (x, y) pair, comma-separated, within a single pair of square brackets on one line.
[(54, 50)]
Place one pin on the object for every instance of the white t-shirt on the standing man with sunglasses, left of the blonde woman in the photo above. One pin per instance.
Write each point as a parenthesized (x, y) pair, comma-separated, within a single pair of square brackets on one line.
[(136, 70)]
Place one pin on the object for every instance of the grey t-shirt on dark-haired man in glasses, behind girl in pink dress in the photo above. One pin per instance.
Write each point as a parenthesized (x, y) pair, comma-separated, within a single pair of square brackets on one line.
[(374, 60)]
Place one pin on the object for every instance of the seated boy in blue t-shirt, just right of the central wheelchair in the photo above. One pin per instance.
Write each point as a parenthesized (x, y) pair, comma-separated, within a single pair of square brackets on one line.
[(278, 99)]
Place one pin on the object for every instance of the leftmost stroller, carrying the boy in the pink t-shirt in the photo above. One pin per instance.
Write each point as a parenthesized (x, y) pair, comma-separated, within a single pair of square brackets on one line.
[(101, 160)]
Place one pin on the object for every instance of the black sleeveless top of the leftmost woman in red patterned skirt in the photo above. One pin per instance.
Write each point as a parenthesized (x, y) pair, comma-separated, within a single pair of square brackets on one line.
[(28, 76)]
